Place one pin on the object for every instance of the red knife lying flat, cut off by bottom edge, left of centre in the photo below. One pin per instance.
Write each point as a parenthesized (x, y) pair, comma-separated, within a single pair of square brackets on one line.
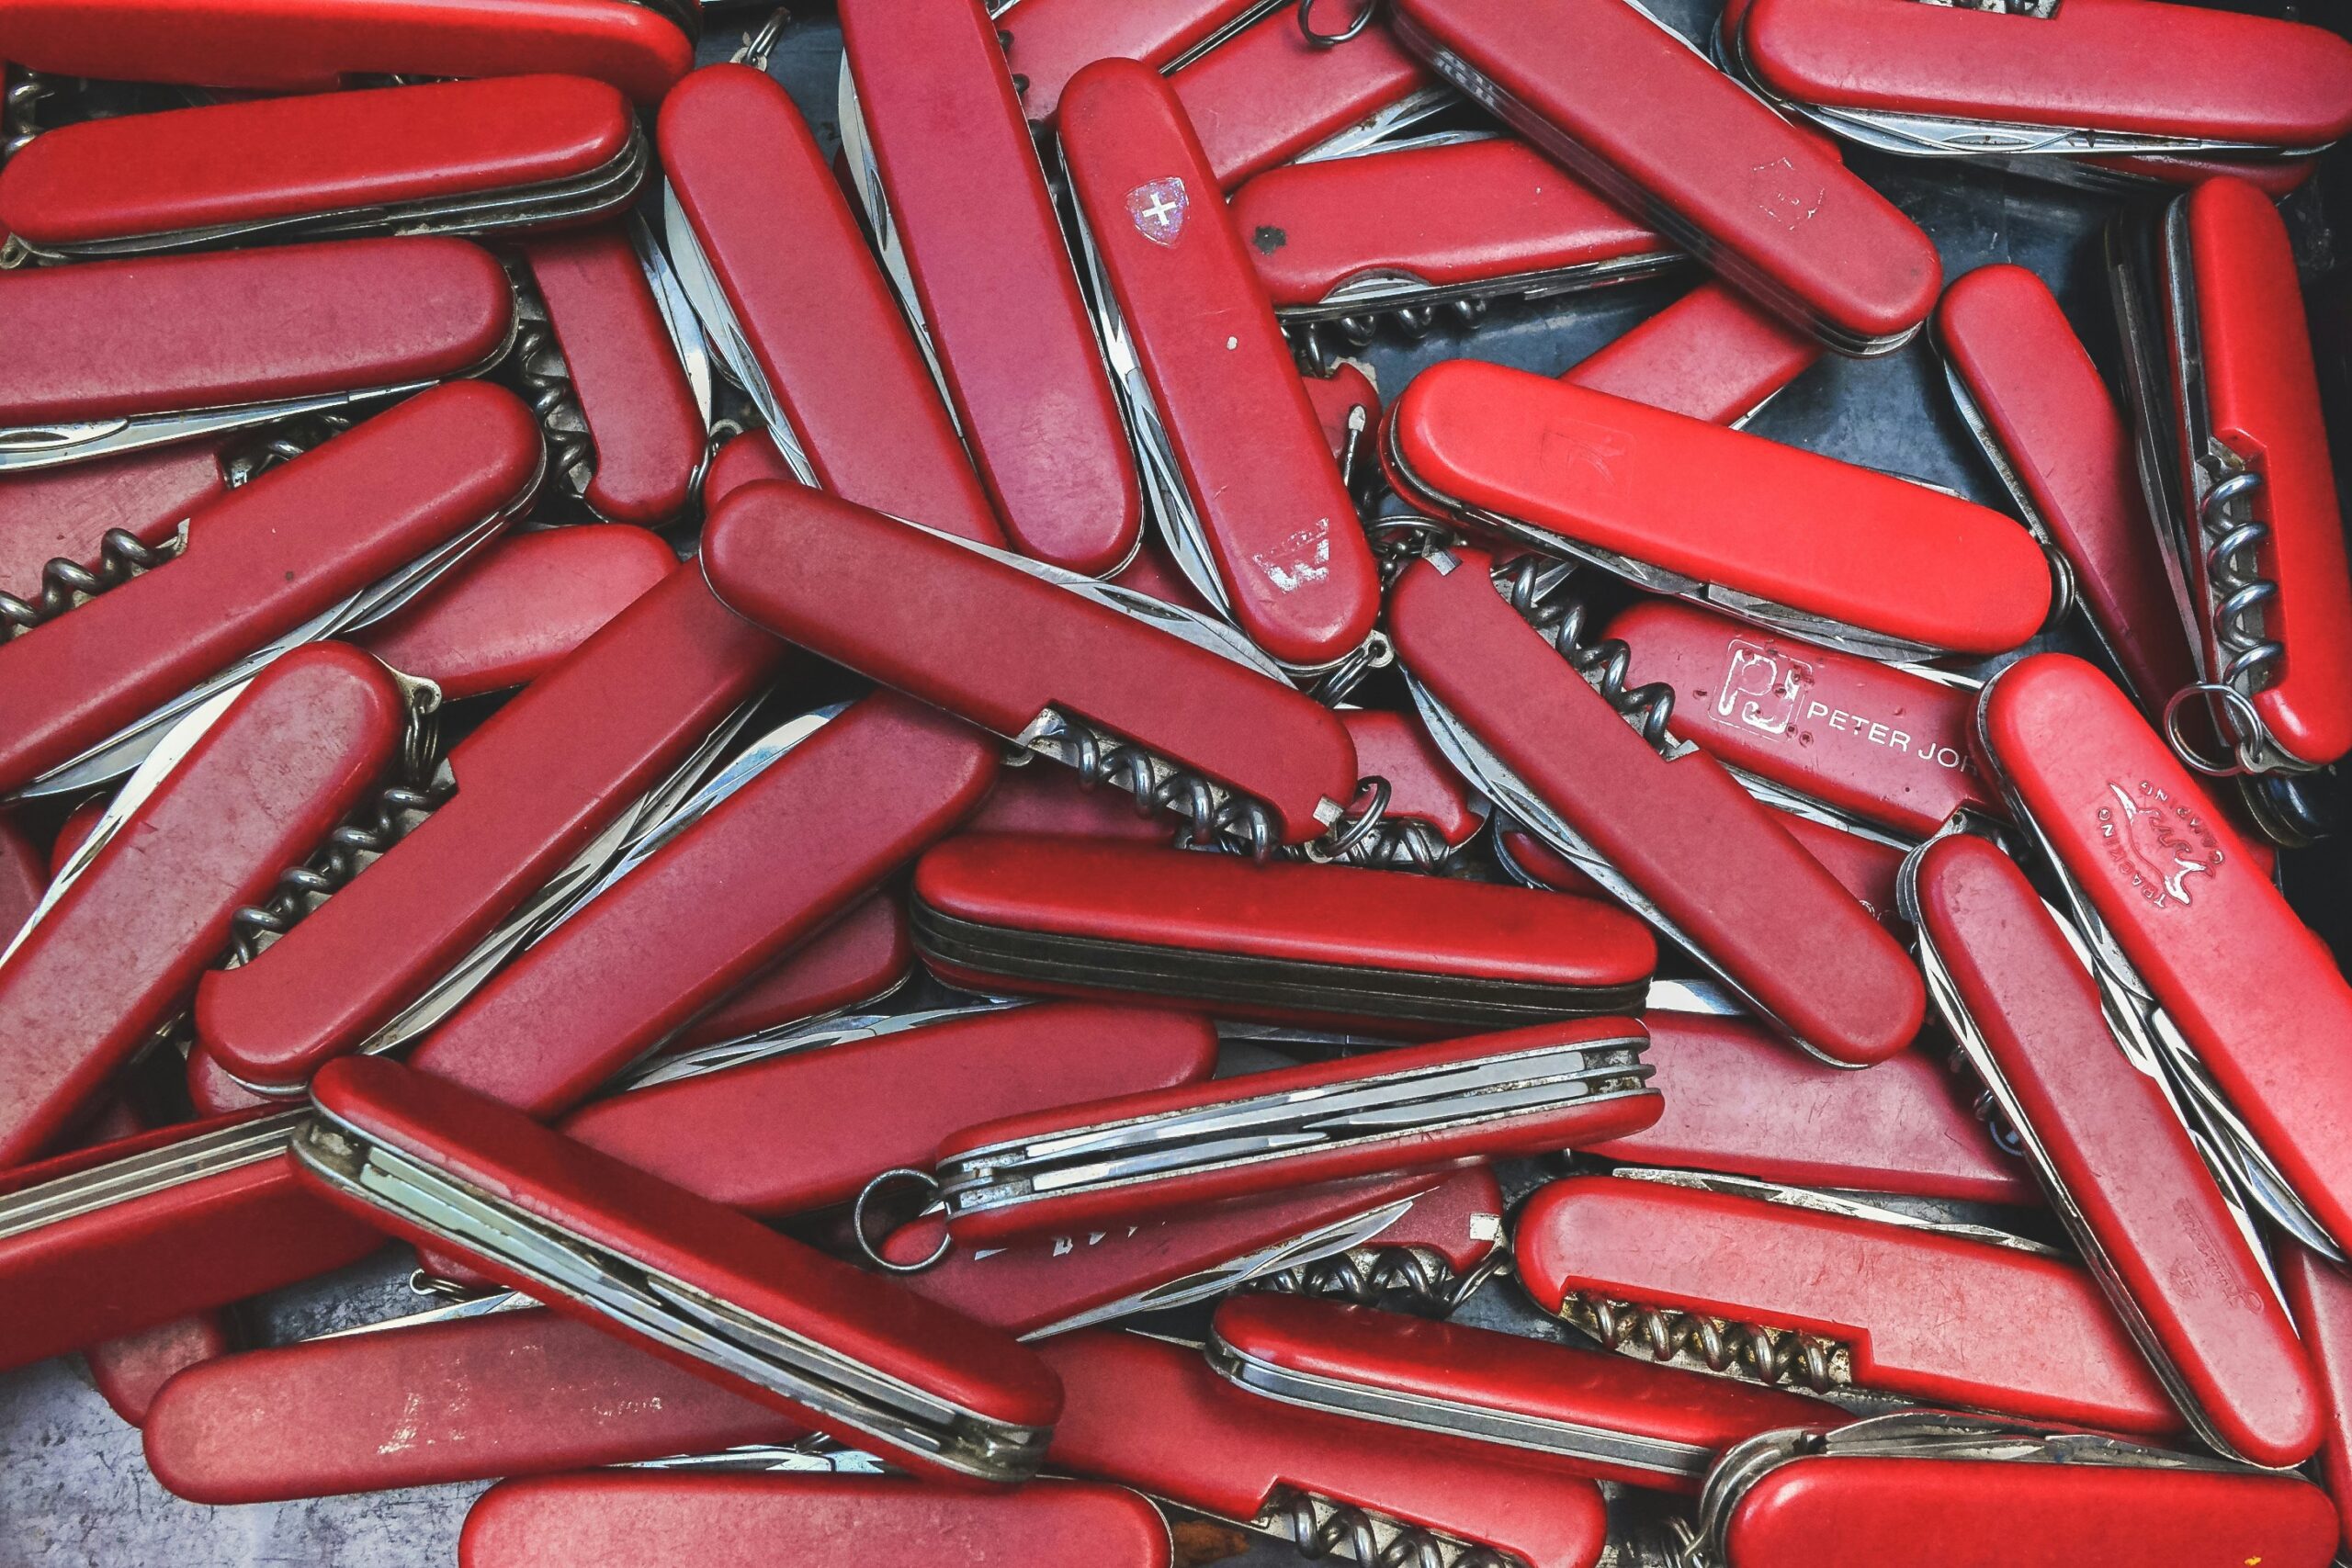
[(822, 1522)]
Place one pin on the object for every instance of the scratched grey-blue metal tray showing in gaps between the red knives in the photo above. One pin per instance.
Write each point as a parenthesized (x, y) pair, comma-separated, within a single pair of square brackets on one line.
[(74, 1489)]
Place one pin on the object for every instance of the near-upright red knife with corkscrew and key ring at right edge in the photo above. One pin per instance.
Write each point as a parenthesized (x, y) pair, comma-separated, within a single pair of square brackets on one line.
[(2238, 471)]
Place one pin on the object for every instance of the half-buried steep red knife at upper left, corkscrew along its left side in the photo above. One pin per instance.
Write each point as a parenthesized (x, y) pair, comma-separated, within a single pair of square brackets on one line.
[(617, 366)]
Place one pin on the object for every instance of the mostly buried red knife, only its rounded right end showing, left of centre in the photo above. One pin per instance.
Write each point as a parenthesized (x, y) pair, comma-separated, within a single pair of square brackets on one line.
[(521, 610)]
